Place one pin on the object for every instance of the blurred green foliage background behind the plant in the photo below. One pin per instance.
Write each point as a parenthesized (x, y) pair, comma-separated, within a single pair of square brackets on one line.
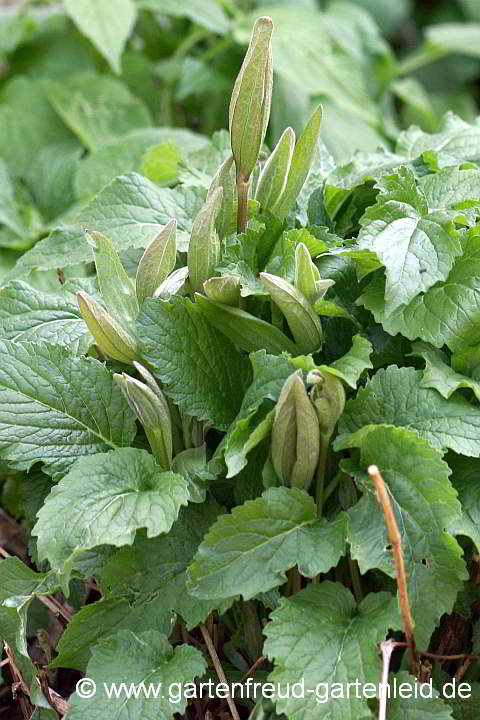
[(90, 89)]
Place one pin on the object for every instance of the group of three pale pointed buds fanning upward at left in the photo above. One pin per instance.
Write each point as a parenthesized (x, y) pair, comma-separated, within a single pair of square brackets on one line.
[(113, 323)]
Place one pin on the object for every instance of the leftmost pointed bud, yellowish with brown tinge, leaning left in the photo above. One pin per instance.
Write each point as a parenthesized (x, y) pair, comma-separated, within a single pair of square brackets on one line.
[(110, 336)]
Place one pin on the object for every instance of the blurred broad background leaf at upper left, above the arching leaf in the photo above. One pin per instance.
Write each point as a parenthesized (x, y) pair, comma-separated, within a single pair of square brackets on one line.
[(97, 108)]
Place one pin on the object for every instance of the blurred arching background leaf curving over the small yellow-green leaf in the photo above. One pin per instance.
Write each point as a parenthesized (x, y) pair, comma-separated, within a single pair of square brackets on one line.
[(126, 154)]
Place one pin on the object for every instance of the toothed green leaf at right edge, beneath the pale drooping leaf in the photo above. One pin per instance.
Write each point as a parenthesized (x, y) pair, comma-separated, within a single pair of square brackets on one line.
[(447, 314)]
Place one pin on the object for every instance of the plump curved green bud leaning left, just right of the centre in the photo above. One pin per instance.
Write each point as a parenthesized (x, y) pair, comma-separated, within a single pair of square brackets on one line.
[(303, 322)]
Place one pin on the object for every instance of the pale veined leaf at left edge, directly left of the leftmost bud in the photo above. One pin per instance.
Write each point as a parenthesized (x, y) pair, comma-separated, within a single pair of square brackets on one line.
[(29, 314)]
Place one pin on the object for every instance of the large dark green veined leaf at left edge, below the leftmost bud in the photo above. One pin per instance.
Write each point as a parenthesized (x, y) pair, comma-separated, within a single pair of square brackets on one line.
[(56, 408)]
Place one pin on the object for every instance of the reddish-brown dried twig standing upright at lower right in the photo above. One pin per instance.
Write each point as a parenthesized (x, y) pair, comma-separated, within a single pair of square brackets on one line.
[(396, 542)]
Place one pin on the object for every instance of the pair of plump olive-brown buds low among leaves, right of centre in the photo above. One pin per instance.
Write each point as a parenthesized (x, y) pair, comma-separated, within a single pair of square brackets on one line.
[(303, 421)]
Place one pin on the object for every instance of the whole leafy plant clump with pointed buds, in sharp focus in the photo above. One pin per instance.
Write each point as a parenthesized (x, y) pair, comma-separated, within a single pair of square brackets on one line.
[(190, 416)]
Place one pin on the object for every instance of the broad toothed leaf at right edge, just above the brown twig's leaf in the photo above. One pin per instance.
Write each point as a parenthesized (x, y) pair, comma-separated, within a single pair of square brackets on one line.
[(395, 396)]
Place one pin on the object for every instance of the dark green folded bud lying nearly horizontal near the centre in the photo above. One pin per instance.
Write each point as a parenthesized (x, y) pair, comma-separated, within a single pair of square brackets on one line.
[(245, 330)]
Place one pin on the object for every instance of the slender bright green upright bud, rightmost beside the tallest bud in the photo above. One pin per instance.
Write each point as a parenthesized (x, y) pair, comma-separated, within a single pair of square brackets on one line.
[(301, 162)]
